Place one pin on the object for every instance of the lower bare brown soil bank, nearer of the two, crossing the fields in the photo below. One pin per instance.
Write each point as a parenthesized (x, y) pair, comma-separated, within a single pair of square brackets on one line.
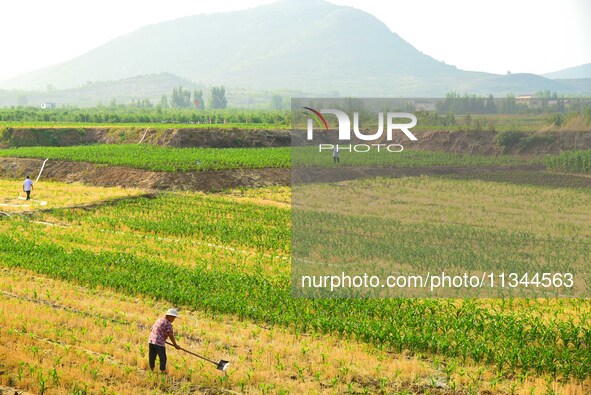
[(215, 181)]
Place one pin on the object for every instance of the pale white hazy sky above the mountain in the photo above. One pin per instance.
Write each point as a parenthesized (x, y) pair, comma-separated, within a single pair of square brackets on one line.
[(535, 36)]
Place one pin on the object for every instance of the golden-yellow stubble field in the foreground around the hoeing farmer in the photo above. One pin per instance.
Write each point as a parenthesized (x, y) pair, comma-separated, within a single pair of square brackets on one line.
[(71, 337)]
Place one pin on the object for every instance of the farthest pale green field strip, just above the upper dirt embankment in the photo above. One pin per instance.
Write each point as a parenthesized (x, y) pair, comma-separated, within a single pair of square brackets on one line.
[(126, 119)]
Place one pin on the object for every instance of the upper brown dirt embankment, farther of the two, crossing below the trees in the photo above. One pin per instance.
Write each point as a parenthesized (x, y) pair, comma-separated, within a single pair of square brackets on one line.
[(484, 142)]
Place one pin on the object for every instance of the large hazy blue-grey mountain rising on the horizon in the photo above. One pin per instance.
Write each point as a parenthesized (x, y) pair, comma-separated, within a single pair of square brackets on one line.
[(311, 46)]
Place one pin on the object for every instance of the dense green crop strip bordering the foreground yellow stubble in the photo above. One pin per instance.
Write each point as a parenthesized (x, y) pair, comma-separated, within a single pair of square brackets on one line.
[(512, 341)]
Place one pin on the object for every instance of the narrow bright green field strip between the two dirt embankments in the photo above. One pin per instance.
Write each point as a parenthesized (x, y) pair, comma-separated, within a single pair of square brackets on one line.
[(167, 159)]
